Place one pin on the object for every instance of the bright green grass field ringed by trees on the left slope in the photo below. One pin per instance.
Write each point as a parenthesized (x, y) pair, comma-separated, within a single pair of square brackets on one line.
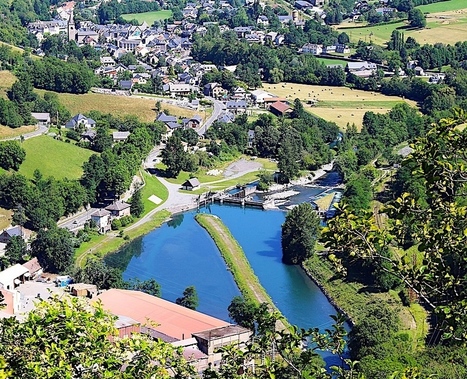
[(53, 158)]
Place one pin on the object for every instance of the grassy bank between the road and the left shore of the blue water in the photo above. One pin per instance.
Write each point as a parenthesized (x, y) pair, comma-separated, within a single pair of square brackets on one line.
[(103, 244)]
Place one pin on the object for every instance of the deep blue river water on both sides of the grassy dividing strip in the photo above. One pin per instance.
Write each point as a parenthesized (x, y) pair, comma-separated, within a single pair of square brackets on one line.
[(181, 253)]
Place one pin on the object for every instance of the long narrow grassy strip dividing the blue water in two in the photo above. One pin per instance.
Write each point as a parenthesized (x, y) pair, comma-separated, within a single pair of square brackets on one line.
[(235, 258)]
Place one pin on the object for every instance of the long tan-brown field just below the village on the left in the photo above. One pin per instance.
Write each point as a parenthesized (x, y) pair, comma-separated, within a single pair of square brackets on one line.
[(118, 105)]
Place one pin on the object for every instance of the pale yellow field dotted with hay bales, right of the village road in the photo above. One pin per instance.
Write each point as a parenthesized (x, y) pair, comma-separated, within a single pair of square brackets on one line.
[(341, 105)]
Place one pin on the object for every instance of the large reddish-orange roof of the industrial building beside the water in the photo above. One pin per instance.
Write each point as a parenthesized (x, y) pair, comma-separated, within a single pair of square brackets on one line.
[(171, 319)]
